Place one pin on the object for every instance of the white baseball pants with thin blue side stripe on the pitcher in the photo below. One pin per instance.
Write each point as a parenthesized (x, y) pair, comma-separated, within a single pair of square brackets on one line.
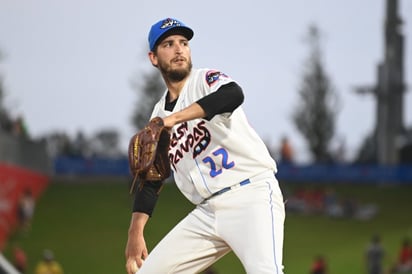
[(248, 220)]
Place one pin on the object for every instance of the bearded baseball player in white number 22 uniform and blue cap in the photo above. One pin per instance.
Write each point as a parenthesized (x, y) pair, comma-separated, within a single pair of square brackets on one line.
[(219, 163)]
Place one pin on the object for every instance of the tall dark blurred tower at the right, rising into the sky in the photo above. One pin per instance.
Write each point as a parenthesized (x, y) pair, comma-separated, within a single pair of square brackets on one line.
[(391, 141)]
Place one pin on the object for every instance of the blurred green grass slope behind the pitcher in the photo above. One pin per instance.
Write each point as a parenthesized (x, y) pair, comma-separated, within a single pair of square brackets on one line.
[(85, 224)]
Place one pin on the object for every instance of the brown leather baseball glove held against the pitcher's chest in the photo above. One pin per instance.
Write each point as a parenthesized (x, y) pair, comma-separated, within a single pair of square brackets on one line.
[(148, 153)]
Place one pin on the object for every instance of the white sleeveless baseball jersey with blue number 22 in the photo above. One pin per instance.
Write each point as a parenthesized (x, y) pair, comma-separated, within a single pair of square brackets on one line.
[(207, 156)]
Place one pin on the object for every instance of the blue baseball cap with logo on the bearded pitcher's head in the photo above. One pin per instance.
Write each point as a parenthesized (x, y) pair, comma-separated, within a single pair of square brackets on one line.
[(166, 27)]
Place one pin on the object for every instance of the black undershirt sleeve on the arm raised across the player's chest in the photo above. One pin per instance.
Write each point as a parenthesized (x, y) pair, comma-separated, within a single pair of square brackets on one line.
[(226, 99)]
